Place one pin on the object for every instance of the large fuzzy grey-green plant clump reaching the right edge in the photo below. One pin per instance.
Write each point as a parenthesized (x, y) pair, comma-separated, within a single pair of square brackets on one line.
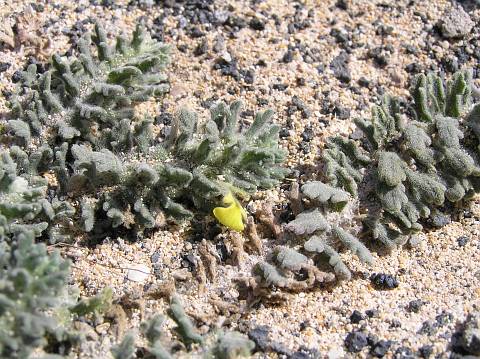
[(410, 163)]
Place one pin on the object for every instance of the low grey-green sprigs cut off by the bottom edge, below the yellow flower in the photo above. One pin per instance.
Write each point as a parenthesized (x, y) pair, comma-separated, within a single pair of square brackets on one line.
[(222, 345)]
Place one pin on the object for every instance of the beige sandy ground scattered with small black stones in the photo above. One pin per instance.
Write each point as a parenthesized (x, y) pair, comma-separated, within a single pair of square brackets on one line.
[(440, 272)]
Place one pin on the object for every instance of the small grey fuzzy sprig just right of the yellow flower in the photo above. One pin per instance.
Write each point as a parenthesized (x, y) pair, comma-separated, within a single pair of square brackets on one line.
[(322, 227)]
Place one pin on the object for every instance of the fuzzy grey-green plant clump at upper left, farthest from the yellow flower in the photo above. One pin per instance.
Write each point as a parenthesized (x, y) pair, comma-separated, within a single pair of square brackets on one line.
[(91, 96)]
